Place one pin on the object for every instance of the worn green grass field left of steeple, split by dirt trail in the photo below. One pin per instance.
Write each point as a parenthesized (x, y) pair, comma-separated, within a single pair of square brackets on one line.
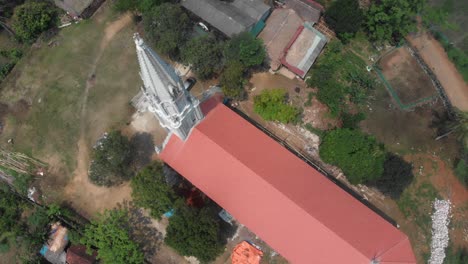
[(45, 91)]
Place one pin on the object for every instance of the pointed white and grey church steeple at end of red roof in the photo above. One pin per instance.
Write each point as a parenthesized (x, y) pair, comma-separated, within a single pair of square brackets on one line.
[(164, 94)]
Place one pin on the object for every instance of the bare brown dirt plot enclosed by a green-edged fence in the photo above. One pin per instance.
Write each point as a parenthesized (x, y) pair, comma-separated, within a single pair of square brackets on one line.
[(406, 76)]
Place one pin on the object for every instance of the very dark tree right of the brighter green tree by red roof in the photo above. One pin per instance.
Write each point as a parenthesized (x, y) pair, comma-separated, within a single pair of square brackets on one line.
[(397, 175)]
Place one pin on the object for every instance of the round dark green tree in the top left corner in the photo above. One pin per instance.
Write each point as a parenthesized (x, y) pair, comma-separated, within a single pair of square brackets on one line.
[(32, 18)]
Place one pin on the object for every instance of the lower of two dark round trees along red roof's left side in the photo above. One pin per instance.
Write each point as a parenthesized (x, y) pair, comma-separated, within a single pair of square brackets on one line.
[(195, 232)]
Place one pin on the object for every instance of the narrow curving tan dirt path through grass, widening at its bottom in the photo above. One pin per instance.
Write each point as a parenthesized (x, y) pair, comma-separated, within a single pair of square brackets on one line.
[(84, 196)]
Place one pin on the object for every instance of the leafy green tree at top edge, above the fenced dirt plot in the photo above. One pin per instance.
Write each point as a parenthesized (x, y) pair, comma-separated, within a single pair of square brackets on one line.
[(391, 20)]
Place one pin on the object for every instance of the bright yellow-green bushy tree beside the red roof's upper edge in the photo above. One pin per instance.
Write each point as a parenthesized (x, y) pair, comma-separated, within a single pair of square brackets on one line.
[(272, 106)]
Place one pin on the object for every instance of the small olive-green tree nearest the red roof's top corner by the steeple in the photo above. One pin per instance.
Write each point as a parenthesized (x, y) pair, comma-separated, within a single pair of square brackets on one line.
[(232, 81)]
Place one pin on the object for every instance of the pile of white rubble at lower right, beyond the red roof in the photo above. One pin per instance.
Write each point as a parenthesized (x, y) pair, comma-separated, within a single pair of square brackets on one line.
[(440, 231)]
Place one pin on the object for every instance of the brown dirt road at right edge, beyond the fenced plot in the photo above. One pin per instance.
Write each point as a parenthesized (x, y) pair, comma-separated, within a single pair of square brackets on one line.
[(436, 58)]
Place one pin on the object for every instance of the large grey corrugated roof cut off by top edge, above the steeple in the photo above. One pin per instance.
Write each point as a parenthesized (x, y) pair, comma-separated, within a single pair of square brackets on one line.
[(229, 17)]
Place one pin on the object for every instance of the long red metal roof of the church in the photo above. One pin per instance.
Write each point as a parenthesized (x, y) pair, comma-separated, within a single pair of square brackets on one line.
[(291, 206)]
